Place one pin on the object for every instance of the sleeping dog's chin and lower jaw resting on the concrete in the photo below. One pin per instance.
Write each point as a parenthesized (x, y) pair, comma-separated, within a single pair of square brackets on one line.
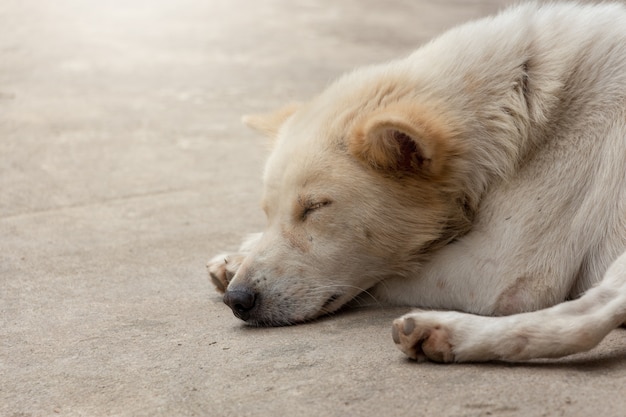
[(279, 319)]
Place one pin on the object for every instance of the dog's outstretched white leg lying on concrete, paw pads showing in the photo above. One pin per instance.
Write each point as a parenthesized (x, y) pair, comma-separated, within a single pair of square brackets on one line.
[(567, 328)]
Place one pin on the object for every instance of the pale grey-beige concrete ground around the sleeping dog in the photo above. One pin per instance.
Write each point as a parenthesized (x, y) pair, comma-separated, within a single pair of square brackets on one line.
[(123, 168)]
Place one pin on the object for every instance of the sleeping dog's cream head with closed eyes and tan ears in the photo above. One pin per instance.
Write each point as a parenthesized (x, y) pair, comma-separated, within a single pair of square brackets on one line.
[(362, 184)]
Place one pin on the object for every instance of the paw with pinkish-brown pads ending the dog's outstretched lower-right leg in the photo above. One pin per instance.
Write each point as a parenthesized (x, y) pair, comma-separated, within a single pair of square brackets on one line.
[(421, 336)]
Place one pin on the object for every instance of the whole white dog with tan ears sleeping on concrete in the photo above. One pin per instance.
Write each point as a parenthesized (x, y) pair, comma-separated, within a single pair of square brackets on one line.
[(485, 173)]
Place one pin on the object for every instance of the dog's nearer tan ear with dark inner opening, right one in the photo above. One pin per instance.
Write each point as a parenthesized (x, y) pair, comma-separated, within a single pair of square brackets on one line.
[(402, 139)]
